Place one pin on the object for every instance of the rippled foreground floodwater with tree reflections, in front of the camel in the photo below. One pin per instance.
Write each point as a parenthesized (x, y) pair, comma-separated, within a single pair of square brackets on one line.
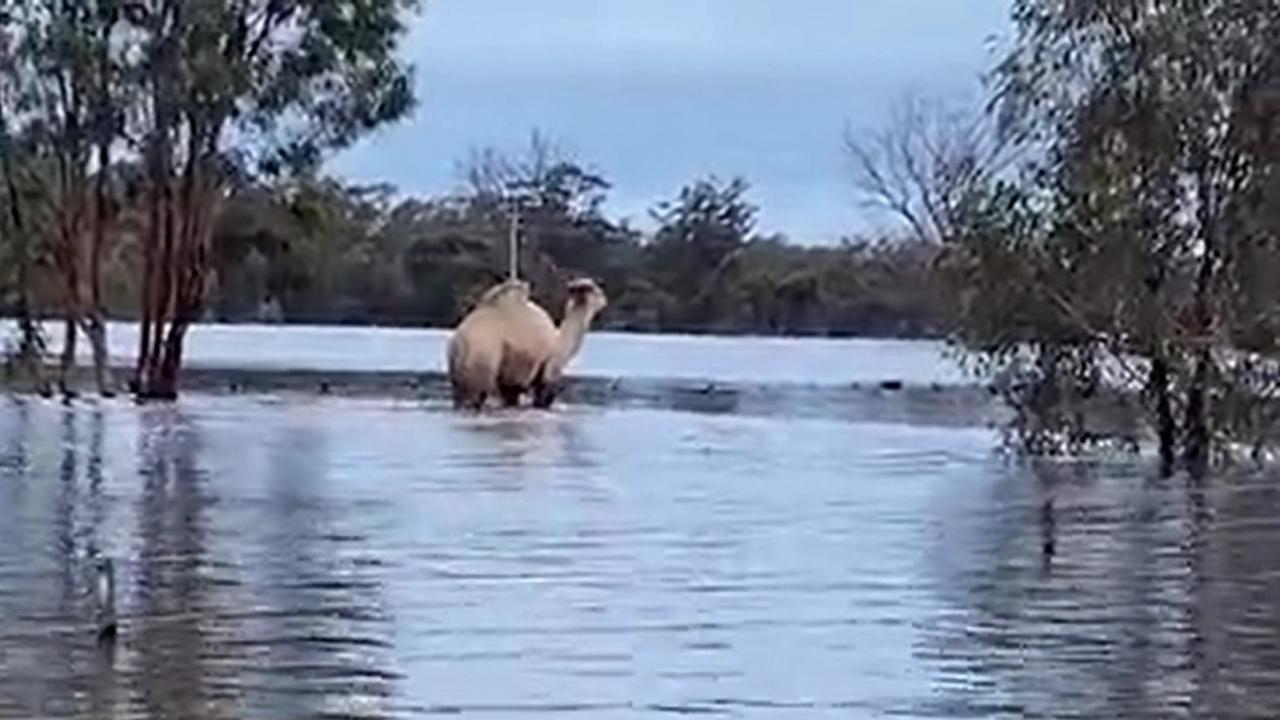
[(341, 559)]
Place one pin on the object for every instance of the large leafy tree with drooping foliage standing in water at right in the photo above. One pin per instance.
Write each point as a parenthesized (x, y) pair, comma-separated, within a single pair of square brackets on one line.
[(1135, 240)]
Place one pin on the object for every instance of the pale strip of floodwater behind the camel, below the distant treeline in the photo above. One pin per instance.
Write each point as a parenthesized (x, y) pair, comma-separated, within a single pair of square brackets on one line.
[(611, 356)]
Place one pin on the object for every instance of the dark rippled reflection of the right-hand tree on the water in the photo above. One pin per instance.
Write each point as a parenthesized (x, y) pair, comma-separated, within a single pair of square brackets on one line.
[(1159, 599)]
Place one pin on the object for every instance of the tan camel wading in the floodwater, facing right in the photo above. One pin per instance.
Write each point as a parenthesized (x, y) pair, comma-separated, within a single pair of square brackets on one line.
[(509, 347)]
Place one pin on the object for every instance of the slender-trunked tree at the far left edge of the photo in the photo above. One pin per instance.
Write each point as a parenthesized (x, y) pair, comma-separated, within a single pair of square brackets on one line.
[(65, 80)]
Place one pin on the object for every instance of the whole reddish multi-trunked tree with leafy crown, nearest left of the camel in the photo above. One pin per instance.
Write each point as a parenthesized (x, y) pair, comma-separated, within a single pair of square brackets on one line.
[(226, 89)]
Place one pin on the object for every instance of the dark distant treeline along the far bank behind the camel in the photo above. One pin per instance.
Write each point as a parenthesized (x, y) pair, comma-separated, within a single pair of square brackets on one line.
[(317, 250)]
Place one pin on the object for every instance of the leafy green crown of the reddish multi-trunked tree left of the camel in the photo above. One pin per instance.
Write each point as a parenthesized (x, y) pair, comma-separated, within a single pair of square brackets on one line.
[(287, 83)]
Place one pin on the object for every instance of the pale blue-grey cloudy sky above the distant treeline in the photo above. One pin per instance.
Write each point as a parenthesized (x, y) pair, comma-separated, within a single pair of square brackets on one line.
[(656, 94)]
